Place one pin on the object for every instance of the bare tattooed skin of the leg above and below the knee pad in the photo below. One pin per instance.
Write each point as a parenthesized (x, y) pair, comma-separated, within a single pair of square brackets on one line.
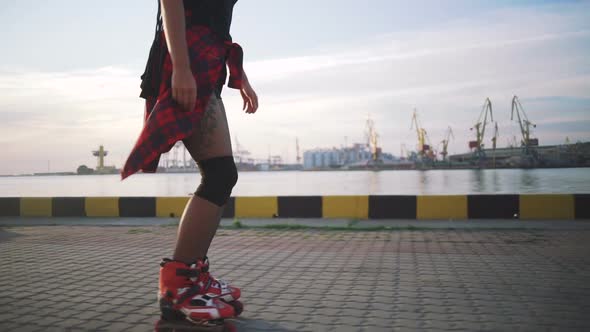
[(200, 219)]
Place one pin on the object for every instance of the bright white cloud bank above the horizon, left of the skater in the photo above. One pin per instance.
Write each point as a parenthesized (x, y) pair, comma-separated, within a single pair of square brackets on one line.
[(61, 116)]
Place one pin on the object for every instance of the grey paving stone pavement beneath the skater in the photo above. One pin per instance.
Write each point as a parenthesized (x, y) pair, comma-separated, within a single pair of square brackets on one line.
[(75, 278)]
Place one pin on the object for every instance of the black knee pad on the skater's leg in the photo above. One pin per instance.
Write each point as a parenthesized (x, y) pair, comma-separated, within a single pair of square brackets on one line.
[(218, 176)]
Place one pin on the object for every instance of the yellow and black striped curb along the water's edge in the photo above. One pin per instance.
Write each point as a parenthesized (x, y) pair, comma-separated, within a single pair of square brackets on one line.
[(456, 207)]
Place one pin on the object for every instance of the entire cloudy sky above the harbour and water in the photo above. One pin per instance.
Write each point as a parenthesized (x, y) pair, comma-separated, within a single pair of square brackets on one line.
[(69, 74)]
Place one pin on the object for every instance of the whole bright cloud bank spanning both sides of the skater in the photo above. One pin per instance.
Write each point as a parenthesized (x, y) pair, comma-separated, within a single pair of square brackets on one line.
[(445, 71)]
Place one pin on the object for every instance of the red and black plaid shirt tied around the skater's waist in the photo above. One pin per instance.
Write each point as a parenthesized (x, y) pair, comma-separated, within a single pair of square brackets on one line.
[(165, 122)]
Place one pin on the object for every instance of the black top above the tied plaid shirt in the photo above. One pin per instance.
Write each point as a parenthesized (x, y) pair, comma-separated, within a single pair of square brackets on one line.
[(216, 14)]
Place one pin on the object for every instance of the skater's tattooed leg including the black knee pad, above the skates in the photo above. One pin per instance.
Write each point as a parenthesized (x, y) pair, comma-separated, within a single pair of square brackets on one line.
[(210, 147)]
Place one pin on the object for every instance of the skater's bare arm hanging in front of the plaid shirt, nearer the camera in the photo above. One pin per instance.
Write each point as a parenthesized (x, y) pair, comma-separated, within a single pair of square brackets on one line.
[(184, 87)]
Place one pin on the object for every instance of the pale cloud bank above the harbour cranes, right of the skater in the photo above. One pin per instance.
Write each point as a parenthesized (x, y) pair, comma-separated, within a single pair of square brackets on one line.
[(446, 72)]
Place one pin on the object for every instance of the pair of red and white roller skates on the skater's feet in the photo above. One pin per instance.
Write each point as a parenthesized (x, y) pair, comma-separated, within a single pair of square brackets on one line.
[(183, 297)]
